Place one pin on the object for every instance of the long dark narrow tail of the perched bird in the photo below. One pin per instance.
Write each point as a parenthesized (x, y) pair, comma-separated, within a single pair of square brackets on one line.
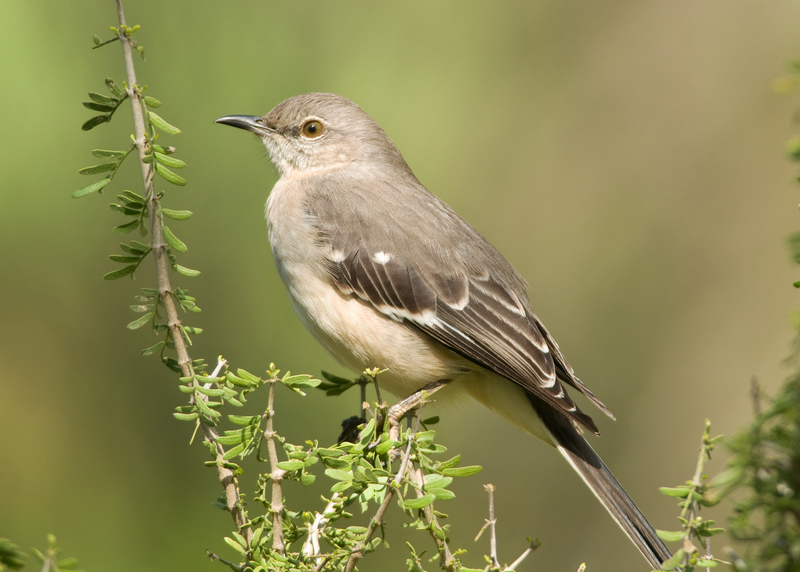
[(605, 487)]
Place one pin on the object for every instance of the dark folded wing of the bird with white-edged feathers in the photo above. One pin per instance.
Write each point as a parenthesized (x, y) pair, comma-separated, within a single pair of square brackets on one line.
[(477, 318)]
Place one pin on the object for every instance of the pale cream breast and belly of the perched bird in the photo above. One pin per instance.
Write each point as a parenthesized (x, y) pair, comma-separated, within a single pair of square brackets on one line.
[(356, 334)]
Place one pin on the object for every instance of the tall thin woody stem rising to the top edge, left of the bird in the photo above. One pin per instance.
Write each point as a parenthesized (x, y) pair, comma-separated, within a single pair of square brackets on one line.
[(226, 476)]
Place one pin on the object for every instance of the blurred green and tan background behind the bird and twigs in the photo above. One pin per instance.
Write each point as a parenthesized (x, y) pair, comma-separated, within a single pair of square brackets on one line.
[(626, 156)]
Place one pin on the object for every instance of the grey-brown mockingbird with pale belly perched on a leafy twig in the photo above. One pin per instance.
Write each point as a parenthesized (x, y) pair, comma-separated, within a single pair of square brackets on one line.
[(385, 274)]
